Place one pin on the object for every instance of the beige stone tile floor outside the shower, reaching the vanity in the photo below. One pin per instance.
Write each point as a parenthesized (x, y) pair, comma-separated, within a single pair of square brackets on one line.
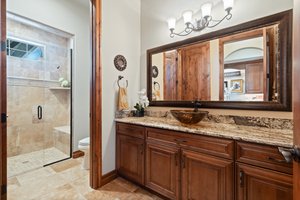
[(68, 181)]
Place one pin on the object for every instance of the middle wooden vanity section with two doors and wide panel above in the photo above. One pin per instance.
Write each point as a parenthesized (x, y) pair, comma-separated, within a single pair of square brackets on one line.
[(189, 167)]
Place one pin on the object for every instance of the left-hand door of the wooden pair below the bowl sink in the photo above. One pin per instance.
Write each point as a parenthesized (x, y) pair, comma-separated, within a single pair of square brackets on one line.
[(162, 169)]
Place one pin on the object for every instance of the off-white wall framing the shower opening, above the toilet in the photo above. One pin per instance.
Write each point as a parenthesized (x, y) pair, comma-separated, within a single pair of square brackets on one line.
[(74, 18)]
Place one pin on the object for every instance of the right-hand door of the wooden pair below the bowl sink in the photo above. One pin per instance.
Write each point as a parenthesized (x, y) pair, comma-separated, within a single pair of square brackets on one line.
[(206, 177)]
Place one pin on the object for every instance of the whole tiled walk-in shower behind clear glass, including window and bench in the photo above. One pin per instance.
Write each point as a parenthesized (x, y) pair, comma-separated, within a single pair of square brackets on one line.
[(39, 108)]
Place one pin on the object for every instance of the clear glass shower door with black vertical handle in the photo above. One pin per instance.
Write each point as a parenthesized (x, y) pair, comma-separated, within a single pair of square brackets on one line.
[(26, 100)]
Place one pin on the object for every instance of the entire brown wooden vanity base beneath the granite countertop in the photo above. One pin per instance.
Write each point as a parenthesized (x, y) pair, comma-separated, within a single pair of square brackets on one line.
[(183, 166)]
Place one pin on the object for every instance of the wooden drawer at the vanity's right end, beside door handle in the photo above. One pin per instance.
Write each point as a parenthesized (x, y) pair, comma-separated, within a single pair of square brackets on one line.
[(263, 156)]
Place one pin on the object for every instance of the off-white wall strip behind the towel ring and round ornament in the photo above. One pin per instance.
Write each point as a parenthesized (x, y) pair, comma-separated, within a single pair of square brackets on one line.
[(121, 35)]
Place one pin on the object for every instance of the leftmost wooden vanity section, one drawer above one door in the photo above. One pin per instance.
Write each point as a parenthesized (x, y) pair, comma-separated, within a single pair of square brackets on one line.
[(130, 150)]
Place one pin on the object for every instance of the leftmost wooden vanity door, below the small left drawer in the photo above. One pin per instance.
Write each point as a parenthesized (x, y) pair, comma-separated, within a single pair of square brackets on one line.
[(130, 158)]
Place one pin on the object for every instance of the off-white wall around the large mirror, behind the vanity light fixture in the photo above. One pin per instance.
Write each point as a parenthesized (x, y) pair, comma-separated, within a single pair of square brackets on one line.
[(155, 31)]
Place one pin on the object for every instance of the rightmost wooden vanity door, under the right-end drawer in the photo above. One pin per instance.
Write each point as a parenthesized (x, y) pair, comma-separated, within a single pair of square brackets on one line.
[(254, 183)]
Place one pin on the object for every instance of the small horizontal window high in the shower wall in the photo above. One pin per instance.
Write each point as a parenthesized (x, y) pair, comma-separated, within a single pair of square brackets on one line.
[(24, 49)]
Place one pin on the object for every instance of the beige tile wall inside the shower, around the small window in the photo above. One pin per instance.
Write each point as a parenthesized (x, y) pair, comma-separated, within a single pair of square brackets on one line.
[(28, 87)]
